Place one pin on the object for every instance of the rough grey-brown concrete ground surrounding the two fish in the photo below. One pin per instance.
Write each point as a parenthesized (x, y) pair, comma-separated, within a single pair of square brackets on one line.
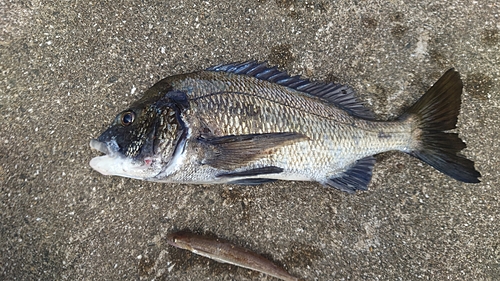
[(67, 67)]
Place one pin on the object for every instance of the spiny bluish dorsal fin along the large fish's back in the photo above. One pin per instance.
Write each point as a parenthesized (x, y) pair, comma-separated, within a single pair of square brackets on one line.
[(338, 94)]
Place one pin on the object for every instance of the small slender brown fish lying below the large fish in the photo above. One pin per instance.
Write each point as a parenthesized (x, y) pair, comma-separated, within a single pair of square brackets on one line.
[(225, 252)]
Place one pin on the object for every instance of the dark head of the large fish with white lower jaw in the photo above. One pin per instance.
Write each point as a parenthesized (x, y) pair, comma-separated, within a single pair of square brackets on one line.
[(144, 140)]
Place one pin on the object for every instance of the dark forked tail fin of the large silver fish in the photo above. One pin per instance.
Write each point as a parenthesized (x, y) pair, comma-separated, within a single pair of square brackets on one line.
[(436, 112)]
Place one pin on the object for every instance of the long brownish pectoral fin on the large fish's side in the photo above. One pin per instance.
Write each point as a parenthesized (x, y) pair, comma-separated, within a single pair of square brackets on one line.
[(231, 152)]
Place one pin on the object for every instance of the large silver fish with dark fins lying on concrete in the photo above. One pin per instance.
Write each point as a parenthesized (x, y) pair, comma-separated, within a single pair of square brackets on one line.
[(248, 123)]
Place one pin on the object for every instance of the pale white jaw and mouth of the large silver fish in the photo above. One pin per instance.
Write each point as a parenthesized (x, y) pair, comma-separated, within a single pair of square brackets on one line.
[(114, 163)]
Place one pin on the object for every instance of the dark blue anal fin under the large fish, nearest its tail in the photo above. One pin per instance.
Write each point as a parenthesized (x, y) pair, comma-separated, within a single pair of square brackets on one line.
[(357, 177)]
